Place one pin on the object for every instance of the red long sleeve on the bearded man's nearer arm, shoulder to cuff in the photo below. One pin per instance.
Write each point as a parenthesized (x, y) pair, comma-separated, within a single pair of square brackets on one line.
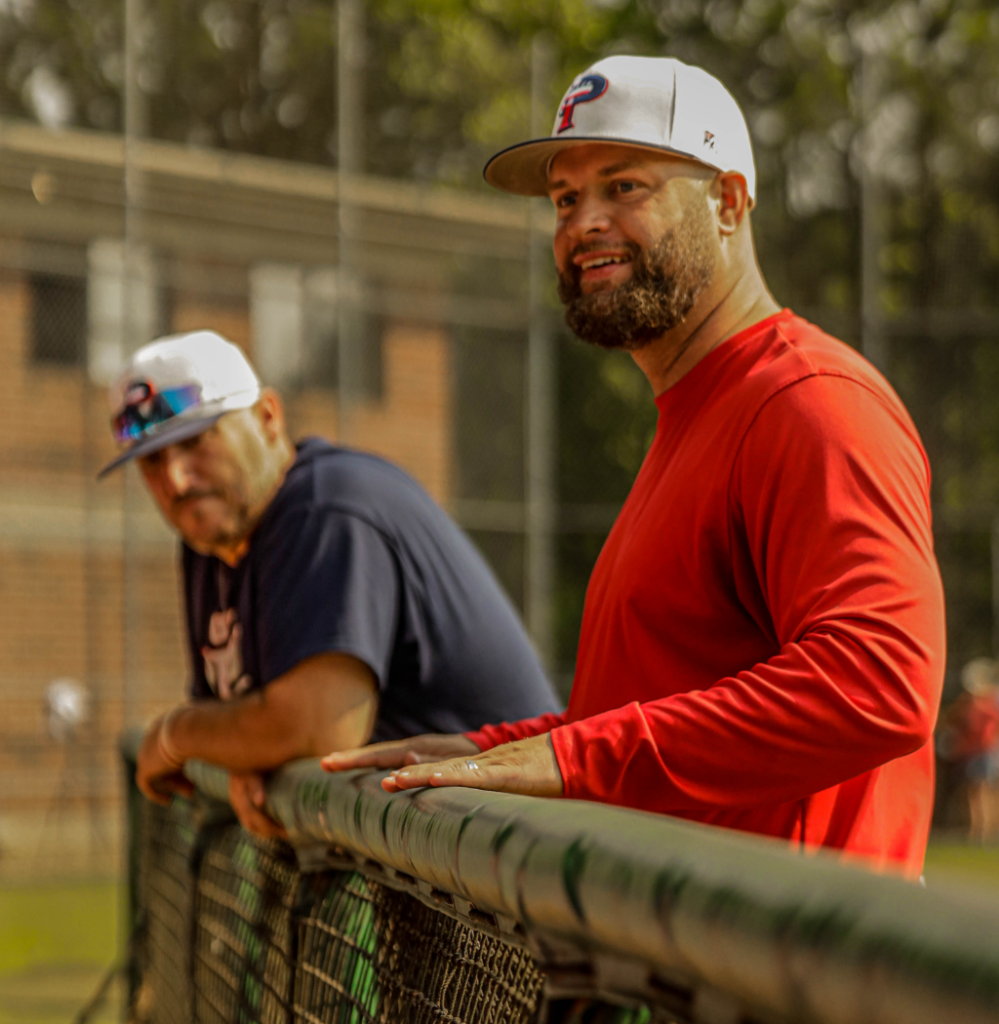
[(830, 514)]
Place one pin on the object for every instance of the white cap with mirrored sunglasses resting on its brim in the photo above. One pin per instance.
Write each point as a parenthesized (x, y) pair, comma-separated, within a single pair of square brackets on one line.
[(175, 389)]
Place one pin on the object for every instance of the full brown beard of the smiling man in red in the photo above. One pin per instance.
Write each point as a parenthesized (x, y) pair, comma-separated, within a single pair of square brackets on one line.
[(667, 280)]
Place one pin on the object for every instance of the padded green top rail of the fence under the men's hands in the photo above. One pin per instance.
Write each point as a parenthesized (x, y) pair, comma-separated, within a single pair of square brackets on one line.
[(645, 902)]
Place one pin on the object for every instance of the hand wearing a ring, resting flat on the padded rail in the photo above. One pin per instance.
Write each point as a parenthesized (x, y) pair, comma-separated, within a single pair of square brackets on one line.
[(527, 766)]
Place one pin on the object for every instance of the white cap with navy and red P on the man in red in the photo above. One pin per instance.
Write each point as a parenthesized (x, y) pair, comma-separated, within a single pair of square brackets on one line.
[(653, 103)]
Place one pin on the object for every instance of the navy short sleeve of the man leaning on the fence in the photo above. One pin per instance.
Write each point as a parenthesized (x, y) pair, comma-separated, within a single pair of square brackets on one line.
[(328, 582)]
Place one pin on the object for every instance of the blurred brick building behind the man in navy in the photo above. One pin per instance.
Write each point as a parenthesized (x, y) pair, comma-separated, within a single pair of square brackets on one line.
[(248, 247)]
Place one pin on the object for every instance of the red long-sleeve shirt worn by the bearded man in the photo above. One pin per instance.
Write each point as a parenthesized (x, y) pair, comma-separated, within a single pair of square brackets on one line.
[(763, 641)]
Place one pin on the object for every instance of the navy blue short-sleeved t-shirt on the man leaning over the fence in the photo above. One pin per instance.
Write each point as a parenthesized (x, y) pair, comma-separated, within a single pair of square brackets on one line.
[(355, 557)]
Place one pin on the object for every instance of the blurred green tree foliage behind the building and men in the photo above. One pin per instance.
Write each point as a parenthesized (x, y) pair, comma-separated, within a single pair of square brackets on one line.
[(899, 96)]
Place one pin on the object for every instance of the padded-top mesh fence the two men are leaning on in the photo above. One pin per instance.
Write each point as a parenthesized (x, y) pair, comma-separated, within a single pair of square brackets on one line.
[(482, 909)]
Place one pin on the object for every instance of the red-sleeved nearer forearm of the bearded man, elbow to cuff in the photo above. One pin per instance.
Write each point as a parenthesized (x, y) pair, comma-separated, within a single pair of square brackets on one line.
[(820, 713)]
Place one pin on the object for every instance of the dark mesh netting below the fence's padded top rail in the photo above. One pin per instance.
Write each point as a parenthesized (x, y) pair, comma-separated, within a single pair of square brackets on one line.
[(231, 932)]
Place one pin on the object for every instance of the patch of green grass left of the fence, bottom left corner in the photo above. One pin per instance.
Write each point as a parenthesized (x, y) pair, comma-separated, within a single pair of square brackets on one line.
[(56, 944)]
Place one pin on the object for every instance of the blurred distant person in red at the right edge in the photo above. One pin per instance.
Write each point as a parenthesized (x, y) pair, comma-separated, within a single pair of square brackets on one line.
[(969, 738)]
